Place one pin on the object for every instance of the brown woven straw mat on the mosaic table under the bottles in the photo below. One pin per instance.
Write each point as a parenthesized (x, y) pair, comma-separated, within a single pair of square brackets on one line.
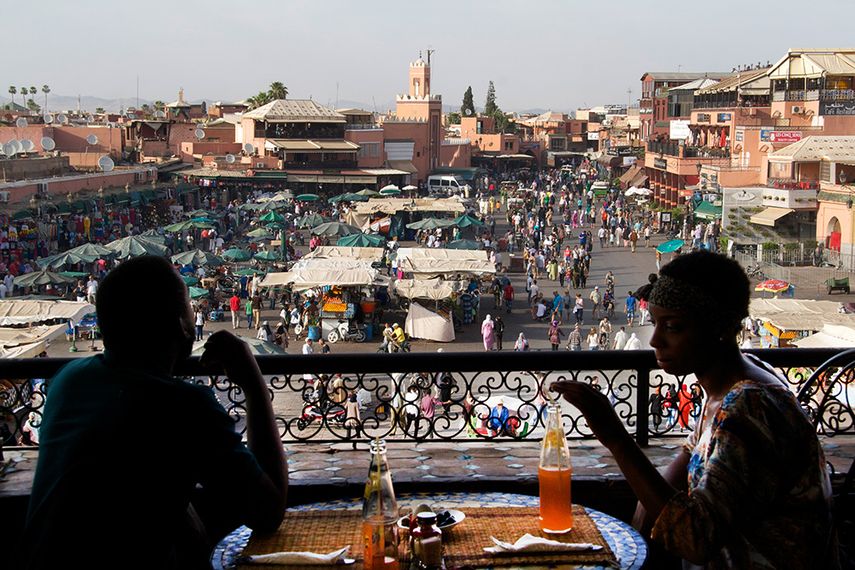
[(463, 545)]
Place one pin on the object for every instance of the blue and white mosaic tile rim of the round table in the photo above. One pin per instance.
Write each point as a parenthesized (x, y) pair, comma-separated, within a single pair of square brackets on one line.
[(627, 544)]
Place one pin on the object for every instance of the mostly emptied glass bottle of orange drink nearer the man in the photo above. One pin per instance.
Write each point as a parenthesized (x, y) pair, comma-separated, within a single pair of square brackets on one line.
[(379, 514)]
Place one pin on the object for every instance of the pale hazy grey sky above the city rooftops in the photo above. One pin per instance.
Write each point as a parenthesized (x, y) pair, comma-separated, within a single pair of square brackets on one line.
[(541, 54)]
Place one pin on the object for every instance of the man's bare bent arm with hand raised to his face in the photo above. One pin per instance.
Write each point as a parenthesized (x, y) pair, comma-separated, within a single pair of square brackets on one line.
[(268, 499)]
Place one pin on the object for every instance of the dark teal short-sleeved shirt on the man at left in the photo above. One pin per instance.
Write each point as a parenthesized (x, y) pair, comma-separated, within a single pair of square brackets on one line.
[(121, 453)]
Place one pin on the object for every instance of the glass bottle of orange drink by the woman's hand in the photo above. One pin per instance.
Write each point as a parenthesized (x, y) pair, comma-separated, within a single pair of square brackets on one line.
[(554, 473)]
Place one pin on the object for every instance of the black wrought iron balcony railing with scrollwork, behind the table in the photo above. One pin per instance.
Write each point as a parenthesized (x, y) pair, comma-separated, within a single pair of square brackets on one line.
[(442, 397)]
